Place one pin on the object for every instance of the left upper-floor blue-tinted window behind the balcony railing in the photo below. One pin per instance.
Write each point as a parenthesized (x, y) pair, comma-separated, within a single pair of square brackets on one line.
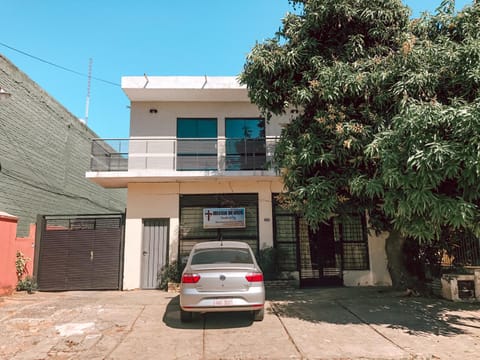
[(196, 144)]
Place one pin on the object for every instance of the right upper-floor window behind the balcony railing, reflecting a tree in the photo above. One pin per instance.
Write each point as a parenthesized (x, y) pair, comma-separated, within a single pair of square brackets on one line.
[(245, 144)]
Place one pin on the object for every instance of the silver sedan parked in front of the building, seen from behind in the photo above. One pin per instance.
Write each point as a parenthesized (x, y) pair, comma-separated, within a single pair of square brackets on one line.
[(222, 276)]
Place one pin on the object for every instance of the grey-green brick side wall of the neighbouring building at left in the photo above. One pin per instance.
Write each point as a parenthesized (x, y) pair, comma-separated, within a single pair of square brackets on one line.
[(45, 152)]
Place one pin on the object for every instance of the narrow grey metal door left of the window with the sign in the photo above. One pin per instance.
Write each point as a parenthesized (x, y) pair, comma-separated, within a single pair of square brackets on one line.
[(154, 251)]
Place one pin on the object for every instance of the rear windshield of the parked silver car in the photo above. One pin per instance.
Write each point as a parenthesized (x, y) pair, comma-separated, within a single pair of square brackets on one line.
[(221, 256)]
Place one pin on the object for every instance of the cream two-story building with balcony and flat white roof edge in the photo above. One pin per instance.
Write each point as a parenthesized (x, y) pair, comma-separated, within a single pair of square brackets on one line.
[(198, 167)]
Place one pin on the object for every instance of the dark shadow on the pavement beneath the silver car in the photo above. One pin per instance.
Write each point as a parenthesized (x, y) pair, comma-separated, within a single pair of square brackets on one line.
[(226, 320)]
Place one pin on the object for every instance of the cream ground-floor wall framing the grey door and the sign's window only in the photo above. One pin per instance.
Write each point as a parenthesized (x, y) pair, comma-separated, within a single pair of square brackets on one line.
[(162, 201)]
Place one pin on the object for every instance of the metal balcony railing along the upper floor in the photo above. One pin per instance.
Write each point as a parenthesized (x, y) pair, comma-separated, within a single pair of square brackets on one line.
[(206, 154)]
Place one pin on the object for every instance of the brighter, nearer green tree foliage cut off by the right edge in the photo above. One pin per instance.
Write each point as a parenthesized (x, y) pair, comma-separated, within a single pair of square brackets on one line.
[(428, 156)]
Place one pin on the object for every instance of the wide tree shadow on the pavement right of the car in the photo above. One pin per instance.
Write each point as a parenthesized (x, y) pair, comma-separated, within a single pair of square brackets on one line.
[(374, 306)]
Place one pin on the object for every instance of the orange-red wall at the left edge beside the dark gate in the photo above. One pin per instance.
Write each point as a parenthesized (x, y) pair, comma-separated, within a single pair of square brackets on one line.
[(9, 245)]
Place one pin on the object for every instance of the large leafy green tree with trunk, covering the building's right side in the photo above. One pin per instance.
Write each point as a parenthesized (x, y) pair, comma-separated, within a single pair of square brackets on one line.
[(356, 74)]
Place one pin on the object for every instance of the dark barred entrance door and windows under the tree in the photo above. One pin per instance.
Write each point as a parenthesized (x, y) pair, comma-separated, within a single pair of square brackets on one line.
[(321, 256)]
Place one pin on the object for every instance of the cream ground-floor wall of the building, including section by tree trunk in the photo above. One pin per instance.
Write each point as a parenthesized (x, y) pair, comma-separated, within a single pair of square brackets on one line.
[(162, 201)]
